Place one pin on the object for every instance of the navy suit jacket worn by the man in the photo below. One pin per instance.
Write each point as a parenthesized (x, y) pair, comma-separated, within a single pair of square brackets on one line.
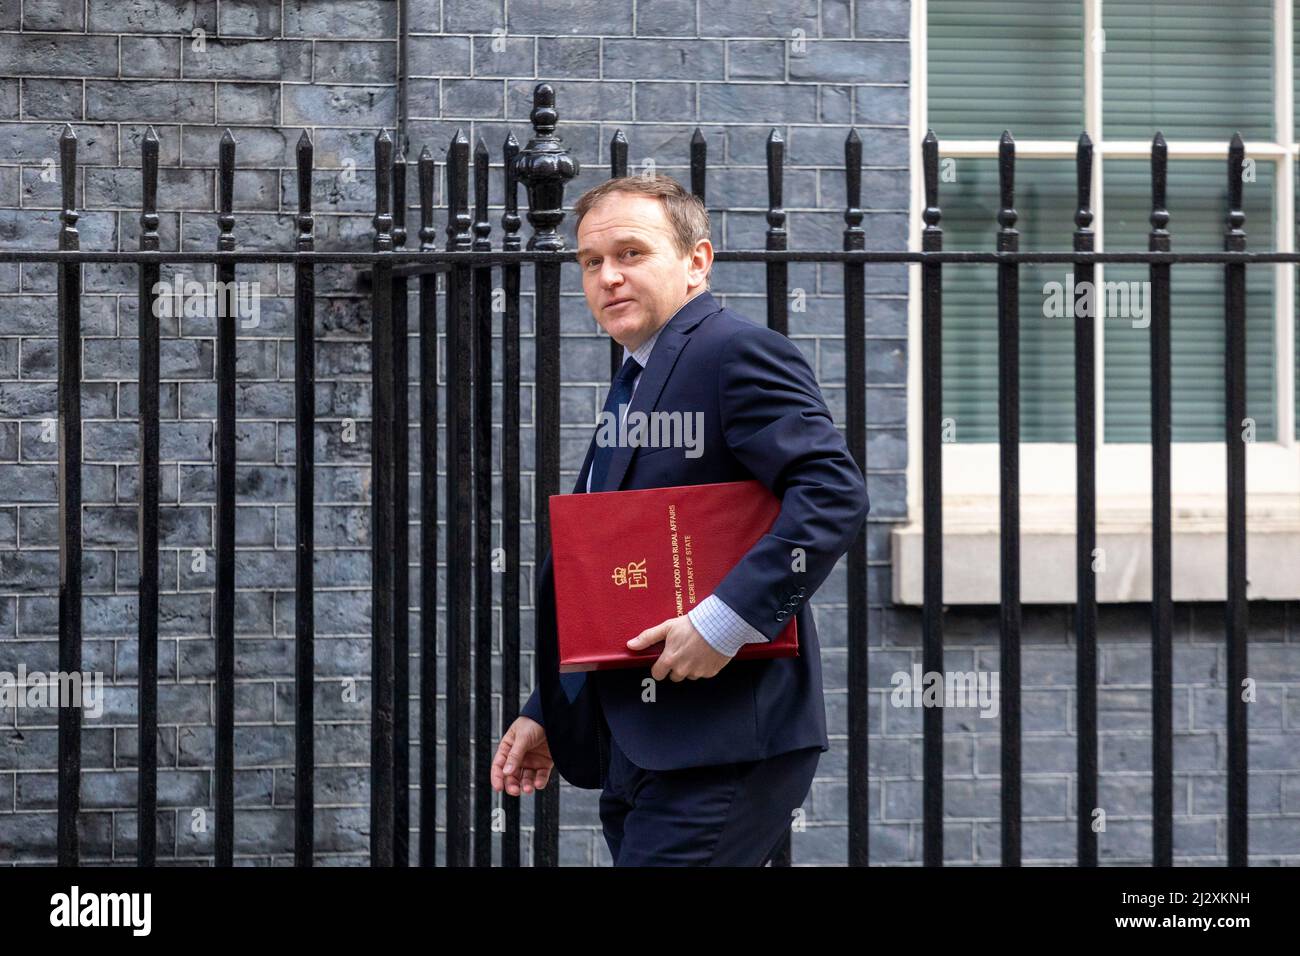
[(765, 419)]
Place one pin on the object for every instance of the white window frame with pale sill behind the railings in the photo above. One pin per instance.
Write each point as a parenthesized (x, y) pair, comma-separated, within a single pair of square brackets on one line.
[(1199, 470)]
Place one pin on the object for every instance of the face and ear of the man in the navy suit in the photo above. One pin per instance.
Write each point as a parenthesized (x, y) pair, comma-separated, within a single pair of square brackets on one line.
[(634, 276)]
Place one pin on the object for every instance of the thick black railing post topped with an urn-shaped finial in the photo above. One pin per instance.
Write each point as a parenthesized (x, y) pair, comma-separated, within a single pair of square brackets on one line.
[(544, 167)]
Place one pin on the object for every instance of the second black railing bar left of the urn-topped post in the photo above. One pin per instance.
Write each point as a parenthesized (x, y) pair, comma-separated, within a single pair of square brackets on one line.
[(483, 517)]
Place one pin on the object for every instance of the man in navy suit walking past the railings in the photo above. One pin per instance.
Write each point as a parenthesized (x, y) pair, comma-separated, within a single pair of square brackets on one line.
[(707, 767)]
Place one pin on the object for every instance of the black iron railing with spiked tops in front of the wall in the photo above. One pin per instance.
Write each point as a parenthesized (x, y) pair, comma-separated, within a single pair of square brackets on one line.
[(544, 167)]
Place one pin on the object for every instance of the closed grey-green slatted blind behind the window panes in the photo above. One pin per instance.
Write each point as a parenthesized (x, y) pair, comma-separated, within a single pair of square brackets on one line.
[(1194, 70)]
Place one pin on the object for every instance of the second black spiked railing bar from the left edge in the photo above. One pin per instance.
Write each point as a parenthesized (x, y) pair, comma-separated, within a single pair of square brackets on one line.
[(148, 630)]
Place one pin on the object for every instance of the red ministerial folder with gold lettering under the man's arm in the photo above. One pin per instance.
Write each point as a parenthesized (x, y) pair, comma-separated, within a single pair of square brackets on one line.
[(626, 561)]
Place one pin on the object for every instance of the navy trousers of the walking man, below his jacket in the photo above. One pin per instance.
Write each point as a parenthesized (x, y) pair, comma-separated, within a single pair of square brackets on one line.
[(729, 815)]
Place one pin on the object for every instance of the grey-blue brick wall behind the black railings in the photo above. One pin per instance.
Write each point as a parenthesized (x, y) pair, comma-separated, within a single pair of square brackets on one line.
[(656, 70)]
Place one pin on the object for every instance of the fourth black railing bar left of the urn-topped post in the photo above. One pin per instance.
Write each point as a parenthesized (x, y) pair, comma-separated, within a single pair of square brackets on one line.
[(428, 529)]
